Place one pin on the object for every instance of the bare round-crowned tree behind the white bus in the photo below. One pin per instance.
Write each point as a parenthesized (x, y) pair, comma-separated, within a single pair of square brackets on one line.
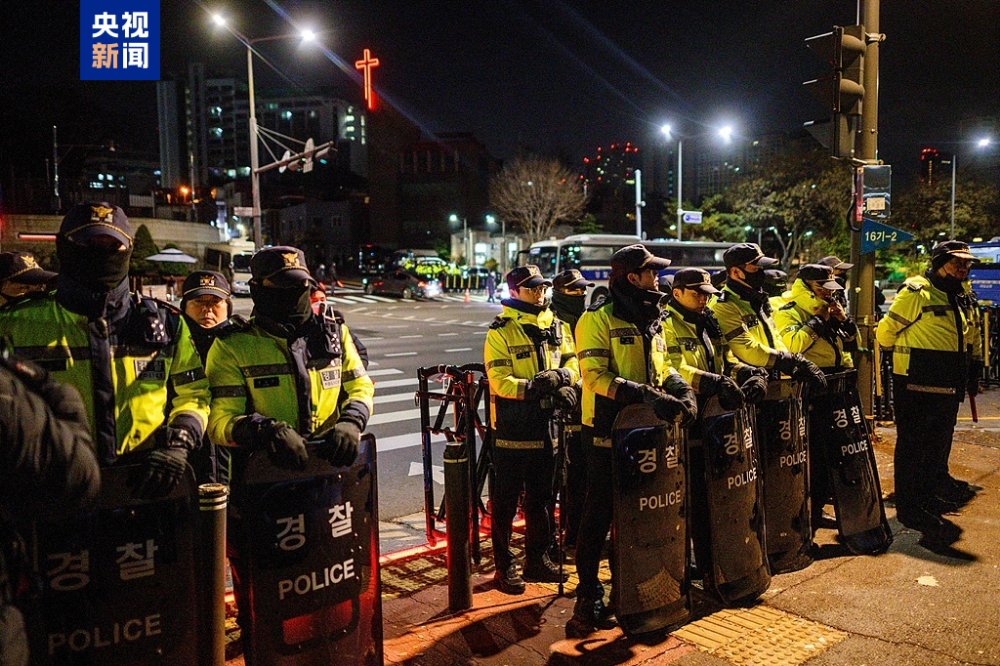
[(534, 194)]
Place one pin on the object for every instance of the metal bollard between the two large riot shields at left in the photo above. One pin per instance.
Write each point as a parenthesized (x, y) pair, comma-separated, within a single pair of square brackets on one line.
[(213, 499)]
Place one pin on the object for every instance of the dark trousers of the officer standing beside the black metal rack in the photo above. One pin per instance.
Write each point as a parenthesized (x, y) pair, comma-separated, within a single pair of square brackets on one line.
[(530, 471)]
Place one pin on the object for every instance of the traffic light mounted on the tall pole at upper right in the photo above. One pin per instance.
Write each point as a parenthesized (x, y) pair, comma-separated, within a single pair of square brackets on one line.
[(843, 90)]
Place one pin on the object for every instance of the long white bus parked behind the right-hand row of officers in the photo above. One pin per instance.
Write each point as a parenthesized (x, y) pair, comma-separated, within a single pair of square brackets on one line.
[(591, 255)]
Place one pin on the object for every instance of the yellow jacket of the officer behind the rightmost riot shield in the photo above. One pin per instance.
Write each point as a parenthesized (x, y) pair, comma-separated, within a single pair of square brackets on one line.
[(823, 346)]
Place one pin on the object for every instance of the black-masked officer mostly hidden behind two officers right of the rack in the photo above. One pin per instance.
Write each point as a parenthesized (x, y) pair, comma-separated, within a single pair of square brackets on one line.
[(569, 296)]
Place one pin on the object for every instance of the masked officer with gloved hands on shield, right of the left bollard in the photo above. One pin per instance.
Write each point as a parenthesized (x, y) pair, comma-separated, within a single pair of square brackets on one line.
[(284, 376)]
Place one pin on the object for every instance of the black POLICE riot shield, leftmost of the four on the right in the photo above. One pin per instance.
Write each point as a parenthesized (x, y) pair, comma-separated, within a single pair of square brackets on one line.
[(650, 522)]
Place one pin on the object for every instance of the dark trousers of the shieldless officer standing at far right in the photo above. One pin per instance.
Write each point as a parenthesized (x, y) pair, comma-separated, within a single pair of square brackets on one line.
[(925, 424)]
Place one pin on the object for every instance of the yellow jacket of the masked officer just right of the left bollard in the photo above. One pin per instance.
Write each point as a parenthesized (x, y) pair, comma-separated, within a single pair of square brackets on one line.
[(252, 371)]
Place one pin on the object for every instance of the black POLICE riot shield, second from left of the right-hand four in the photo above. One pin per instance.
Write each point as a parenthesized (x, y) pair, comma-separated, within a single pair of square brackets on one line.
[(737, 568)]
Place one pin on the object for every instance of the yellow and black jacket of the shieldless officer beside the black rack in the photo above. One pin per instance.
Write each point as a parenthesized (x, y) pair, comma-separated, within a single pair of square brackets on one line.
[(512, 359)]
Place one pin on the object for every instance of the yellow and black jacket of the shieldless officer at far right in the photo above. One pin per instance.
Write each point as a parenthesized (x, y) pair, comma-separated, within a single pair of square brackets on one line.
[(927, 332)]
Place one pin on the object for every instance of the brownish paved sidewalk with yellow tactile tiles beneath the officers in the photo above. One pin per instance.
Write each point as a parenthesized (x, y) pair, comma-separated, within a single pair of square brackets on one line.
[(910, 606)]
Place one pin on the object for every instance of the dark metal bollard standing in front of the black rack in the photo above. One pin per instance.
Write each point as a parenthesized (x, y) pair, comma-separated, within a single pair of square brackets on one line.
[(458, 511)]
